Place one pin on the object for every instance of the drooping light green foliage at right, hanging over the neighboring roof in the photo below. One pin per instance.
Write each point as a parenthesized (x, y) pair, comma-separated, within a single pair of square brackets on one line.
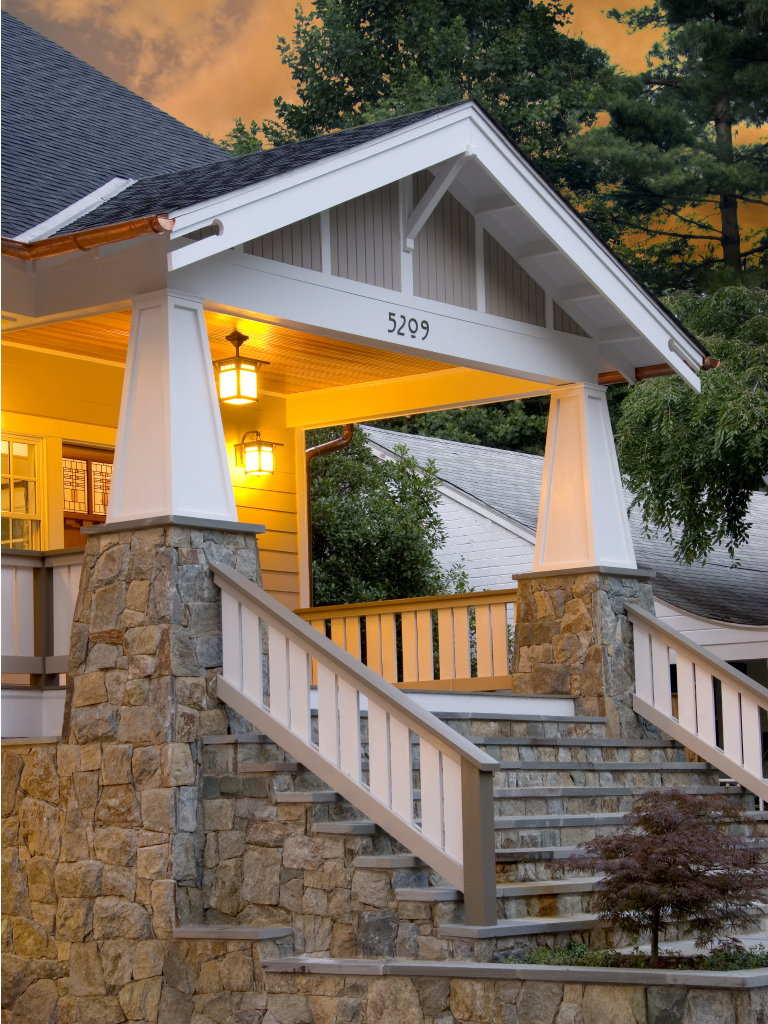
[(694, 461)]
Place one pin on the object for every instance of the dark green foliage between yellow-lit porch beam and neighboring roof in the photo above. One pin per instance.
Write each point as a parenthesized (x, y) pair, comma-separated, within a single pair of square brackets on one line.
[(518, 426)]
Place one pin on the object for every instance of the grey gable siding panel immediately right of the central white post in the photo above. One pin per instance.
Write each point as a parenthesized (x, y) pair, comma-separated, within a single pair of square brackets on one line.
[(445, 267)]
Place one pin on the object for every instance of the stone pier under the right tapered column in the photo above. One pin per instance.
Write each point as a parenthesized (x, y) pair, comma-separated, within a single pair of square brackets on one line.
[(573, 638)]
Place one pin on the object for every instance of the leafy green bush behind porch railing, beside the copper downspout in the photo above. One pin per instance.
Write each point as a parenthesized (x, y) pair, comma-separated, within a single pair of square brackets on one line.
[(375, 527)]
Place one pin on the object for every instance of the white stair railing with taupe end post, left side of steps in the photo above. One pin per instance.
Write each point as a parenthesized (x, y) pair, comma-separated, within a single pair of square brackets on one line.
[(271, 658)]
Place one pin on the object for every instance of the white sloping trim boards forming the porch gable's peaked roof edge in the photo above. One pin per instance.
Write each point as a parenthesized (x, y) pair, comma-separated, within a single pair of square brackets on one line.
[(482, 131)]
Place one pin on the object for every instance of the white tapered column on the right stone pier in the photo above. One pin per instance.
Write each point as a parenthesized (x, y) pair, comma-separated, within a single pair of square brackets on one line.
[(582, 514)]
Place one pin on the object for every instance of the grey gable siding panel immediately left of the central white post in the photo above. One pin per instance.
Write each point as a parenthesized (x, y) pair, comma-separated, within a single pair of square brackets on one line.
[(366, 239)]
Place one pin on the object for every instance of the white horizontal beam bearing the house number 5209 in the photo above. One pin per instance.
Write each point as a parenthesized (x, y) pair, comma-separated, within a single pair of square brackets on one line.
[(305, 301)]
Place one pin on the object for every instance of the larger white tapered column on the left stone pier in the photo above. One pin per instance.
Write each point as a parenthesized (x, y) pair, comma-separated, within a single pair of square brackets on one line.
[(170, 457)]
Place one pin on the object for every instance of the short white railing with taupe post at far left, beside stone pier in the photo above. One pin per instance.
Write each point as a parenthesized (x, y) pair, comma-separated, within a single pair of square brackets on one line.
[(39, 591)]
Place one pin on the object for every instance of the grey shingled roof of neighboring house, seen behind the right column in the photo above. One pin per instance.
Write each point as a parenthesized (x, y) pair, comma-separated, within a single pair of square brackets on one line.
[(510, 483)]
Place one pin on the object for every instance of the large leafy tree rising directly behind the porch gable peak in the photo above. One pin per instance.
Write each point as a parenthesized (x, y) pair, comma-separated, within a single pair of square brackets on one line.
[(355, 62)]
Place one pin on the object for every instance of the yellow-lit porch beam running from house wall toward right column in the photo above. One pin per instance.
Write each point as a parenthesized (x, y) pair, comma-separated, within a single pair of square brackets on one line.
[(453, 389)]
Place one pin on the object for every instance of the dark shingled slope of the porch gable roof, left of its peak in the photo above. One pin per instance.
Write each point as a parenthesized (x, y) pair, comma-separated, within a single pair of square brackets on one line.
[(165, 193)]
